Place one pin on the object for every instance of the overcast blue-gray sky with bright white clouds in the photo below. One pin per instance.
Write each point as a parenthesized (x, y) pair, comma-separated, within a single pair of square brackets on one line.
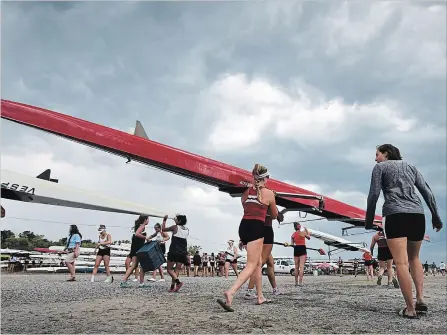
[(308, 89)]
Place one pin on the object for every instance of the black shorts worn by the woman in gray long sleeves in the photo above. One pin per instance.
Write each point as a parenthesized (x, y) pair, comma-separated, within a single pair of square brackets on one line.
[(409, 225)]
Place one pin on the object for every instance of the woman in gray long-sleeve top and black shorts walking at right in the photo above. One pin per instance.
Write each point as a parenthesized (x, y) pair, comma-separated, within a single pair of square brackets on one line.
[(403, 219)]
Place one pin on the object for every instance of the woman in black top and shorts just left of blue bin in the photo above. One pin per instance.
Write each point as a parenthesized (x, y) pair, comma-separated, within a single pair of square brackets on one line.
[(138, 240)]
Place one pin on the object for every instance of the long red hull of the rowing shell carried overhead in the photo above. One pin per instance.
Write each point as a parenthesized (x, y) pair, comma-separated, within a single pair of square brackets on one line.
[(157, 154)]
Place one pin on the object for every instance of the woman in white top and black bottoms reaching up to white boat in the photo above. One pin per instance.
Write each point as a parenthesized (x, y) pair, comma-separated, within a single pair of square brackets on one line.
[(177, 250)]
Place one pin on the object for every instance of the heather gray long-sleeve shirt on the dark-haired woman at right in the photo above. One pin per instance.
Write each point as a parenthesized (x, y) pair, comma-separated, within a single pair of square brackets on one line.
[(397, 179)]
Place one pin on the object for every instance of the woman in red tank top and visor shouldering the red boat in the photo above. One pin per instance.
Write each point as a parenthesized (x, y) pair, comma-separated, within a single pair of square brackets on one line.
[(256, 200)]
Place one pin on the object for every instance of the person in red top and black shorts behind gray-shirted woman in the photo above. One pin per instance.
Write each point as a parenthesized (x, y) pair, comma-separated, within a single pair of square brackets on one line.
[(383, 256)]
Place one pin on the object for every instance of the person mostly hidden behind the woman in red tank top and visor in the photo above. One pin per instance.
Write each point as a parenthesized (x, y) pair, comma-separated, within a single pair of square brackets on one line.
[(267, 257)]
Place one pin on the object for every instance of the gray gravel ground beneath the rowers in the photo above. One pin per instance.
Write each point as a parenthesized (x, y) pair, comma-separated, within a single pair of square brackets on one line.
[(45, 303)]
